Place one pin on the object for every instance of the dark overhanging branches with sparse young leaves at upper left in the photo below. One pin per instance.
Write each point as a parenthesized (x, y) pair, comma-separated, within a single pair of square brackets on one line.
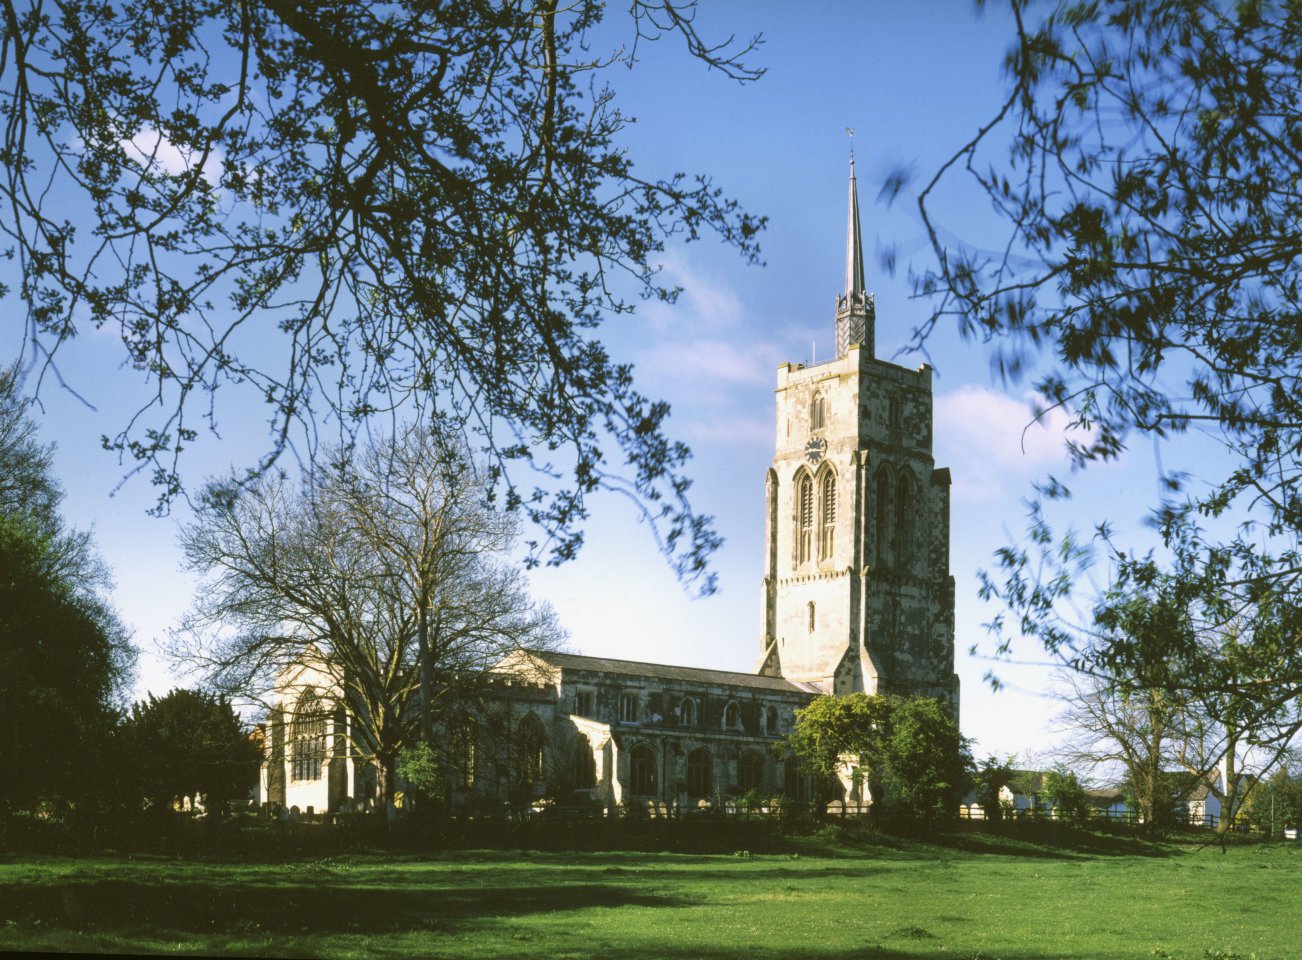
[(411, 205)]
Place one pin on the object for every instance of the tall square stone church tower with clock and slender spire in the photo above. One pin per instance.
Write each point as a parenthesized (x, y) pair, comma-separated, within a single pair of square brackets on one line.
[(859, 595)]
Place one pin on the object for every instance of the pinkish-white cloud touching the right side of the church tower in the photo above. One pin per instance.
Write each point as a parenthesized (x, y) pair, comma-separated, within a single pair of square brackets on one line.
[(994, 444)]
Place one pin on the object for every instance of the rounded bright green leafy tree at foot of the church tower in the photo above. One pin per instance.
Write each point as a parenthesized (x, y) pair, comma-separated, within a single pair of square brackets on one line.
[(917, 763)]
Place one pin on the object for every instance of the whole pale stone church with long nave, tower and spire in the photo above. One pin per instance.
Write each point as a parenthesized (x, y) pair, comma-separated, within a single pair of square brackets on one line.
[(857, 597)]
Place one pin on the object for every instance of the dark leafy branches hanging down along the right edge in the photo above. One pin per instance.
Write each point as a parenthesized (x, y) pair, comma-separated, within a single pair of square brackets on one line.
[(1145, 166)]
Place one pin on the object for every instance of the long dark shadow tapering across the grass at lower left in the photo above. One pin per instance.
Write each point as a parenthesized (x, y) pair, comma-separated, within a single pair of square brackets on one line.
[(210, 909)]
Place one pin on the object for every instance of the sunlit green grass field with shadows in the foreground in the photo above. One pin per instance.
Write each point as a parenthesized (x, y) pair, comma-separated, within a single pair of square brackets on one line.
[(882, 899)]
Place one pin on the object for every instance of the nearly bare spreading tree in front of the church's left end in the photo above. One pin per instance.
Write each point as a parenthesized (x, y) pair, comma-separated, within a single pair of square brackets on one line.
[(301, 576)]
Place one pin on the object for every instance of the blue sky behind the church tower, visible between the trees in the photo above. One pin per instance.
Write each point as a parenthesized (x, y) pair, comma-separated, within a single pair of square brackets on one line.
[(915, 81)]
